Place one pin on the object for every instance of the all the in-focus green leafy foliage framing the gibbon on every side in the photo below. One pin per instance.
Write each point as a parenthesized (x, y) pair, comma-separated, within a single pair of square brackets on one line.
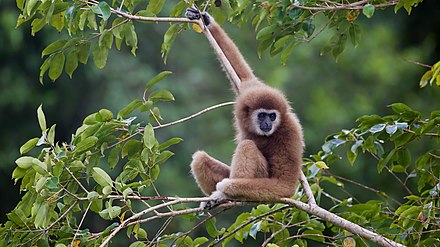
[(112, 162)]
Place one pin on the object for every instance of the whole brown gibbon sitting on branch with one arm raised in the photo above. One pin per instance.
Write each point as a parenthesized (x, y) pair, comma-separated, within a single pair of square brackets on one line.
[(266, 164)]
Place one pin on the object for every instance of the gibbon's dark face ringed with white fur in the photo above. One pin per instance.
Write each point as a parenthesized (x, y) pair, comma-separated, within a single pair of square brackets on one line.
[(265, 122)]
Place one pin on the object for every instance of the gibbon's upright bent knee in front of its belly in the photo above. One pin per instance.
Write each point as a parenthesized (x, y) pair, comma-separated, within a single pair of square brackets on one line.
[(248, 162)]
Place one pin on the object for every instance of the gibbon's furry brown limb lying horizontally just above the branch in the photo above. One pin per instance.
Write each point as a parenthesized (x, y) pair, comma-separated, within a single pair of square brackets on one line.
[(258, 189)]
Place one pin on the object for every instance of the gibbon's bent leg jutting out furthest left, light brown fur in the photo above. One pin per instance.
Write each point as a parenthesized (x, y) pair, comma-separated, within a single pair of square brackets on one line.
[(208, 171)]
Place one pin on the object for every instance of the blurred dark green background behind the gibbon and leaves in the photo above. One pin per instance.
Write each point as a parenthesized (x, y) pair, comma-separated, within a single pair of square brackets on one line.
[(328, 96)]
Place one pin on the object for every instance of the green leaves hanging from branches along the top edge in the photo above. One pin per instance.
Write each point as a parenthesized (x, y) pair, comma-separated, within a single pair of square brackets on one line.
[(94, 26)]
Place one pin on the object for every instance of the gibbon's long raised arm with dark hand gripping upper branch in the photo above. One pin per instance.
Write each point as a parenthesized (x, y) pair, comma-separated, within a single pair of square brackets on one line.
[(232, 53)]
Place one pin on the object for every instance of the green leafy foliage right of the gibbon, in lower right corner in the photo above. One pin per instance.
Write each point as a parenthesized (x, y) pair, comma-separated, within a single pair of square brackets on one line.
[(392, 141)]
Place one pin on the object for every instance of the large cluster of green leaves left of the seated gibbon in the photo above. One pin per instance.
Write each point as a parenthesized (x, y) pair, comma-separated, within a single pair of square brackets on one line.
[(65, 180)]
